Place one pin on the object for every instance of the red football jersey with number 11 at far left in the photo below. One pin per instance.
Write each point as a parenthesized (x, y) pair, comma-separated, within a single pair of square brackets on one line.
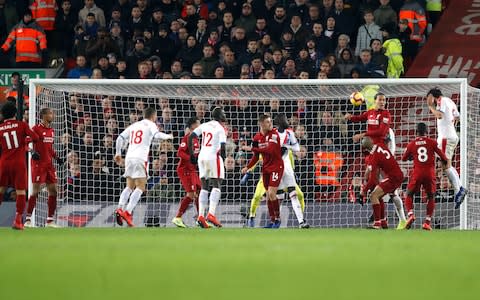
[(13, 143)]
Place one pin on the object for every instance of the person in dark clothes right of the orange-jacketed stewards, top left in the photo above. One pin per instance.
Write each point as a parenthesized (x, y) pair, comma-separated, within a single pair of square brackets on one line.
[(64, 23)]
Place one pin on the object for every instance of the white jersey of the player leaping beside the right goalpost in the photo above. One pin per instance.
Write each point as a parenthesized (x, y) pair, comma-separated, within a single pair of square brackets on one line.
[(446, 125)]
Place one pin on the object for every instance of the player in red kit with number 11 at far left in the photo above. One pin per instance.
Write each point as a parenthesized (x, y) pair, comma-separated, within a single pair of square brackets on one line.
[(13, 171)]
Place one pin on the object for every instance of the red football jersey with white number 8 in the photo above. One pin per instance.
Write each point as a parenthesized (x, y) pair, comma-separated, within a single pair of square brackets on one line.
[(423, 150)]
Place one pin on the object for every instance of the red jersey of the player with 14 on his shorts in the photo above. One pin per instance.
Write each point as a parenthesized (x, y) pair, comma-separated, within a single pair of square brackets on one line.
[(269, 145)]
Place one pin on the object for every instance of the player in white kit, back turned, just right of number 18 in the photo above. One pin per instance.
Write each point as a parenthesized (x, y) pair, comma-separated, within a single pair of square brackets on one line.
[(210, 165)]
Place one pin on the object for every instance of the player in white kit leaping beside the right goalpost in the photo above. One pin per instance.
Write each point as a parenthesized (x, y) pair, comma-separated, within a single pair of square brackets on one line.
[(447, 115)]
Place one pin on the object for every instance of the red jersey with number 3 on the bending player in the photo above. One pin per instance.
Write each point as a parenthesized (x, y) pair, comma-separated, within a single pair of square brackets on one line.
[(381, 159)]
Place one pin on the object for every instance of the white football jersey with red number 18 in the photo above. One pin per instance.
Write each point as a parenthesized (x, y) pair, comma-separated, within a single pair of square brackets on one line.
[(140, 136)]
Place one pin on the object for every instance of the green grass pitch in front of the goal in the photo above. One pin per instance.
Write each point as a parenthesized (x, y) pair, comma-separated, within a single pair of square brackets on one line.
[(238, 264)]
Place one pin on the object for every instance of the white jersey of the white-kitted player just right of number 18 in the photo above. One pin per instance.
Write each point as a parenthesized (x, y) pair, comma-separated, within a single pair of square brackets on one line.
[(213, 135)]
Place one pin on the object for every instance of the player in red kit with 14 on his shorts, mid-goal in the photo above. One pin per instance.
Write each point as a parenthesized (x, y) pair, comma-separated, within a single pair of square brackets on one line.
[(267, 143)]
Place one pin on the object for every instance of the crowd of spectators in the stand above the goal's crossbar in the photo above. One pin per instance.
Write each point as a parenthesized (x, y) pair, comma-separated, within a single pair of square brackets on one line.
[(219, 38)]
